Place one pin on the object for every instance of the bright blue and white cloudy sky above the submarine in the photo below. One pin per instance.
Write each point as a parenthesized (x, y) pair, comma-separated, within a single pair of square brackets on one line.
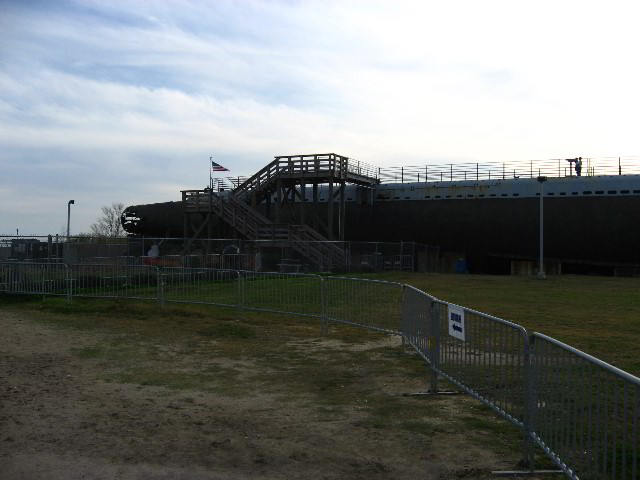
[(106, 101)]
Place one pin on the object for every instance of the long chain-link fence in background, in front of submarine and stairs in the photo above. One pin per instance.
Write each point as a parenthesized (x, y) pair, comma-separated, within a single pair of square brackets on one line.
[(225, 254)]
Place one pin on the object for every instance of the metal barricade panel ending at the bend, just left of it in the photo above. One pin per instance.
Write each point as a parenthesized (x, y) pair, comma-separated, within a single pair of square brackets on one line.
[(372, 304)]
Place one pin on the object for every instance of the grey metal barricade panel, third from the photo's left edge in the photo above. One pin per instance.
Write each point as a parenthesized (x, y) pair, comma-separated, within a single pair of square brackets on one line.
[(199, 285)]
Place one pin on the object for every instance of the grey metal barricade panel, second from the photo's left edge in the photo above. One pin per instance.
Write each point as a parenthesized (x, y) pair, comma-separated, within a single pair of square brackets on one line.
[(113, 281)]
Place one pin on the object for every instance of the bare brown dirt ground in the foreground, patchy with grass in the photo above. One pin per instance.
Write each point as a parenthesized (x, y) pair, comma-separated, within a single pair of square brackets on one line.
[(59, 418)]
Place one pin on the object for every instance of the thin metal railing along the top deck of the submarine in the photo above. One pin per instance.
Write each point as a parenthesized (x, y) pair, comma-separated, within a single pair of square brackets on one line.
[(557, 168)]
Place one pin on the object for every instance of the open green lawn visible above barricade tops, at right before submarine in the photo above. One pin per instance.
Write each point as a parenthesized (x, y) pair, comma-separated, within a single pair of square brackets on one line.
[(598, 315)]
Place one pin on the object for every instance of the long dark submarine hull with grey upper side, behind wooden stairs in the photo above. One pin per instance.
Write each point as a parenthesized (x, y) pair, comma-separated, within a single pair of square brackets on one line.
[(588, 221)]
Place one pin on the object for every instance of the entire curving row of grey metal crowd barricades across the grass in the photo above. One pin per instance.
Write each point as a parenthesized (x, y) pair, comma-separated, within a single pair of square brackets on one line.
[(584, 413)]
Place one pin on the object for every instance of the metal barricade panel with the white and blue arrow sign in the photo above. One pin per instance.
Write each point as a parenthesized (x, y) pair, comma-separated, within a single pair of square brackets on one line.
[(485, 356)]
